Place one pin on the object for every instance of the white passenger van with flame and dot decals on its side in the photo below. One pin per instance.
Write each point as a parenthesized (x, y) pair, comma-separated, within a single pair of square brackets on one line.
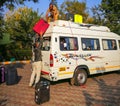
[(75, 51)]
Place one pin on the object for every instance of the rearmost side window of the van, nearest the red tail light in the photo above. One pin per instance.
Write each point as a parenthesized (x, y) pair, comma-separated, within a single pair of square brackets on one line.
[(68, 43)]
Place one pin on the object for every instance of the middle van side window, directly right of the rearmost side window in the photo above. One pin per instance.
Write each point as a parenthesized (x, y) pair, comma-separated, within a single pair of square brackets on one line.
[(90, 44)]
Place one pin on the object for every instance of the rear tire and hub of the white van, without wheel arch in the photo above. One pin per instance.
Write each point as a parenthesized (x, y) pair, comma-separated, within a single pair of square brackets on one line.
[(80, 77)]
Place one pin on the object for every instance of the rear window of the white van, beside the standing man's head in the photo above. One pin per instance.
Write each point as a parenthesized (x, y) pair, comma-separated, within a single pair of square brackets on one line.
[(46, 43)]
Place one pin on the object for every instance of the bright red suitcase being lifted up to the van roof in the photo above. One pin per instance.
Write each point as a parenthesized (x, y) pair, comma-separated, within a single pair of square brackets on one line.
[(40, 27)]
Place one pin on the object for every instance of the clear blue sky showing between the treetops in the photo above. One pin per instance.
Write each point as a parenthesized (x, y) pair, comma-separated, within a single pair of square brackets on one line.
[(42, 5)]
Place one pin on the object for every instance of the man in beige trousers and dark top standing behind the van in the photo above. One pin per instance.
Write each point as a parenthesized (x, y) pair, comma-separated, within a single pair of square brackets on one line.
[(37, 62)]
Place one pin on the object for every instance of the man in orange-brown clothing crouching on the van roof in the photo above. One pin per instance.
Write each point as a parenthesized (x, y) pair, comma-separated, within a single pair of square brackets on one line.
[(52, 13)]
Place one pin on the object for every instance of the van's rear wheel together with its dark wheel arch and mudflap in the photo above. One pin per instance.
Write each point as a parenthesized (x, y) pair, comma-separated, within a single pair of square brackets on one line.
[(80, 75)]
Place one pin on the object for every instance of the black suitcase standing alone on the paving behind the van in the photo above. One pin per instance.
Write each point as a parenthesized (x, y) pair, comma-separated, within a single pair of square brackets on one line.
[(42, 92)]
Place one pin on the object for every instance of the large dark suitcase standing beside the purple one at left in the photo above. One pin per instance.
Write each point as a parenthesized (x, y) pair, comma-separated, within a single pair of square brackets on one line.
[(11, 75)]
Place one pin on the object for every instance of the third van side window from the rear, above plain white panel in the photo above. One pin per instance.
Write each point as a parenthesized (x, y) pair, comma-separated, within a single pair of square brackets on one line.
[(109, 44)]
